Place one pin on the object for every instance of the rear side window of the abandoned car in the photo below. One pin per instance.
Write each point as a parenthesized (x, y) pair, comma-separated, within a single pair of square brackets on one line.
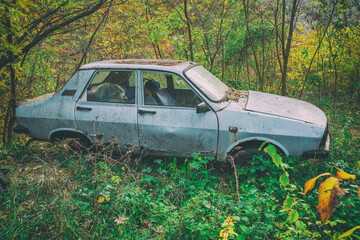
[(112, 86)]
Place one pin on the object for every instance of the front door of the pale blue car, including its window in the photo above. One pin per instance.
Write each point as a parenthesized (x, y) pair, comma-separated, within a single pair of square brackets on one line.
[(167, 117)]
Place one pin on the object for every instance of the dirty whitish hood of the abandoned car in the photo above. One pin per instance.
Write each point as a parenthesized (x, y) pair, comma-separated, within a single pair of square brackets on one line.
[(285, 107)]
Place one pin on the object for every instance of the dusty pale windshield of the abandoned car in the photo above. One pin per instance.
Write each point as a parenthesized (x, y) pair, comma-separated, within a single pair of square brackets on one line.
[(210, 85)]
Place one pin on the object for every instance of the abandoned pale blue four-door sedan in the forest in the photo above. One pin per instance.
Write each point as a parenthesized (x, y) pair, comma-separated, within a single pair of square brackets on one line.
[(172, 108)]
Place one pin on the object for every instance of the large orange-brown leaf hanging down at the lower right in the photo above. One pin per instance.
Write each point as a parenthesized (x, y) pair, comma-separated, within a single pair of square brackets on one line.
[(330, 194)]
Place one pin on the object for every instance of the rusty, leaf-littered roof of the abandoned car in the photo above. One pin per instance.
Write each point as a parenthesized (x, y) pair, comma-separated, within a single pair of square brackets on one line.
[(149, 64)]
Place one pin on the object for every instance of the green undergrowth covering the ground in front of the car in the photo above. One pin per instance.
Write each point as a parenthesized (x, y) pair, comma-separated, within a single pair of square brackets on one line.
[(57, 193)]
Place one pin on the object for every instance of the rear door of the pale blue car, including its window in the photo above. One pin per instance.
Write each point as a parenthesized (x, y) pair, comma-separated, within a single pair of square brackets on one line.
[(107, 110)]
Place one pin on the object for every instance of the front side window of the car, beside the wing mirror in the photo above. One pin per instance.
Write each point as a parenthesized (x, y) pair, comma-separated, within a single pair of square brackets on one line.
[(168, 90)]
